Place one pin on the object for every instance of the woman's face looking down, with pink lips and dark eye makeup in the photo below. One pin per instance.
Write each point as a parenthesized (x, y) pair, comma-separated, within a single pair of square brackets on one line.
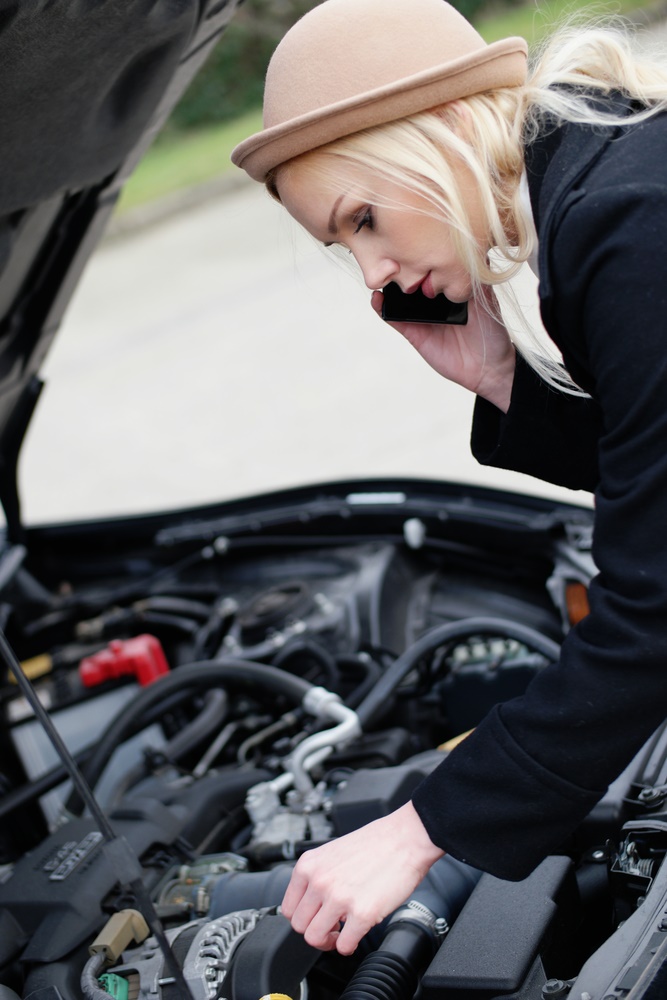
[(391, 232)]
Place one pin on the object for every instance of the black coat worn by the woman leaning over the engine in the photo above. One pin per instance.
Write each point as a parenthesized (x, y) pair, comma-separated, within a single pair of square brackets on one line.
[(520, 784)]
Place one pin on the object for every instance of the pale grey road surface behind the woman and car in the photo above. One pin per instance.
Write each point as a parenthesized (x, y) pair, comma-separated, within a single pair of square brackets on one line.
[(222, 353)]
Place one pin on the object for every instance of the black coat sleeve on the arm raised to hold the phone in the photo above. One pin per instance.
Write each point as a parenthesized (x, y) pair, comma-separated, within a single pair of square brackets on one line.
[(545, 433)]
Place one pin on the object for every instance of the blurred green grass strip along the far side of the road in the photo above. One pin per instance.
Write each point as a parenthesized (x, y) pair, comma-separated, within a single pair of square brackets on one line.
[(181, 161)]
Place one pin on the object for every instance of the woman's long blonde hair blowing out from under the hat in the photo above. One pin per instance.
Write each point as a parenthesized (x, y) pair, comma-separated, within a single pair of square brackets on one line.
[(488, 134)]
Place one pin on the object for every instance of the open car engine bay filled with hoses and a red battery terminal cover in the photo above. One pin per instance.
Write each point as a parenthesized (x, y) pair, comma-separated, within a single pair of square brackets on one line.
[(240, 688)]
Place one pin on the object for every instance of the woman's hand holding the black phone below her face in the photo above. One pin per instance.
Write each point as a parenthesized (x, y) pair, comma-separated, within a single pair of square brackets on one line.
[(479, 356)]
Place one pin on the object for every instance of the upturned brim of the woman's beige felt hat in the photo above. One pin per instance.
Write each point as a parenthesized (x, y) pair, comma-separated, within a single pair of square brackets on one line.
[(501, 64)]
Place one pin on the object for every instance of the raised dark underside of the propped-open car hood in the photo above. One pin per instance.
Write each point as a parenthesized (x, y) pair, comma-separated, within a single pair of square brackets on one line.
[(85, 88)]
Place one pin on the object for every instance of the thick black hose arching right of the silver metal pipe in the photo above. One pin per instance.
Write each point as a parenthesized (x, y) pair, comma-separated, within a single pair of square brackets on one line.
[(379, 699)]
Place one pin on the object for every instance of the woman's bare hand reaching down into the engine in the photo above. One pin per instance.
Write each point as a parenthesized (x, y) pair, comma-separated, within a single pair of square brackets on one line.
[(357, 880)]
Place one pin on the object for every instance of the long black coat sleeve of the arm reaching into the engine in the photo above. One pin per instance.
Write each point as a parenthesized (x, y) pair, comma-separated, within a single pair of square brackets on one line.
[(514, 789)]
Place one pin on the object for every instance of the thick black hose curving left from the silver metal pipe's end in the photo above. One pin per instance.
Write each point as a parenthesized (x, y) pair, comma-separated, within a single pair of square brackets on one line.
[(196, 676)]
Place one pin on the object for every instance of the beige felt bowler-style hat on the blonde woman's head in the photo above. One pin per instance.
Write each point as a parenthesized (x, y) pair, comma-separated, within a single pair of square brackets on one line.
[(351, 64)]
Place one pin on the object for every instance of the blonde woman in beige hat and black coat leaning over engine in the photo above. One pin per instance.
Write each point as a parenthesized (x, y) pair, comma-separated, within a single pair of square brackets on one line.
[(392, 130)]
